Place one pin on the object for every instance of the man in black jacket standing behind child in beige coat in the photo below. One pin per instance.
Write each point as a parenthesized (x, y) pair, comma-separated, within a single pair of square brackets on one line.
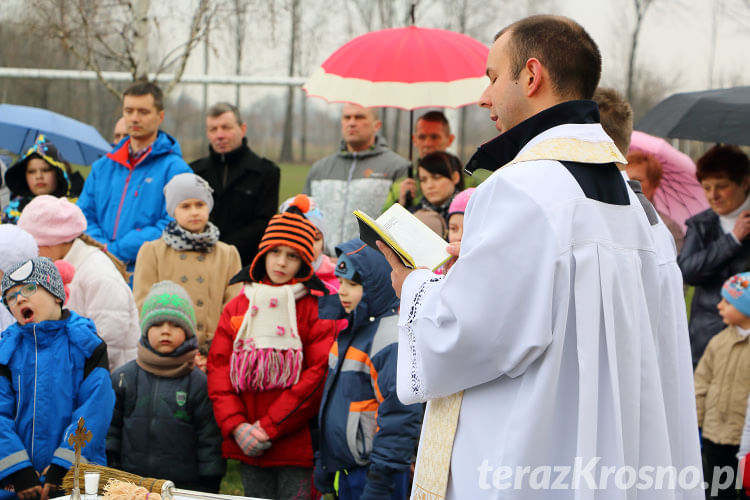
[(246, 186)]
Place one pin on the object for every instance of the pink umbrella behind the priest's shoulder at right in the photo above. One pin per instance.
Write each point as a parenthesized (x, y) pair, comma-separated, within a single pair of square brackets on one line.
[(679, 194)]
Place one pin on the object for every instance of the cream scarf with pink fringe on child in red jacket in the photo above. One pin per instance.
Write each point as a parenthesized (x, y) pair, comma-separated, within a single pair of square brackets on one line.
[(267, 351)]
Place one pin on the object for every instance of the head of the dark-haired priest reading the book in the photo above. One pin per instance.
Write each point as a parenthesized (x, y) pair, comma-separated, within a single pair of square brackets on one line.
[(536, 63)]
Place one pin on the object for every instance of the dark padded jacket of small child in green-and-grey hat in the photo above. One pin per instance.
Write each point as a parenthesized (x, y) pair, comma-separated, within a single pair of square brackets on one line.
[(164, 427)]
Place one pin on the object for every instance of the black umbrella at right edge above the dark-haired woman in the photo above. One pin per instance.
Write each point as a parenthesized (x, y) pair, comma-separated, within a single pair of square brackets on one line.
[(721, 115)]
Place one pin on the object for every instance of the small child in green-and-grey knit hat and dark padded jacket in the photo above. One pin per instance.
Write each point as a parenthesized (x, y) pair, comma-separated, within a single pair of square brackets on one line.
[(163, 423)]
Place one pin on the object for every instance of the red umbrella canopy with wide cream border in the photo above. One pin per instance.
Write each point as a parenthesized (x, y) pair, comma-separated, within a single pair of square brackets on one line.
[(407, 68)]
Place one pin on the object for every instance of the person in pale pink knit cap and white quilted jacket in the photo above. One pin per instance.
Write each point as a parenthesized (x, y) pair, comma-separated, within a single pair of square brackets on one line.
[(99, 288)]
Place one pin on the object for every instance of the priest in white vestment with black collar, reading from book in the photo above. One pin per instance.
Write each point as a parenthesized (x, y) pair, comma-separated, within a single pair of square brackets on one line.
[(554, 354)]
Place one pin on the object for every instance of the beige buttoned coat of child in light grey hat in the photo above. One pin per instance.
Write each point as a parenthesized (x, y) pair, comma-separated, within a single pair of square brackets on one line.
[(203, 275)]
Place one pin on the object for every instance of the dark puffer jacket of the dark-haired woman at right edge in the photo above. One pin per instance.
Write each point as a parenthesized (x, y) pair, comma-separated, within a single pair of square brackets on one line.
[(708, 258)]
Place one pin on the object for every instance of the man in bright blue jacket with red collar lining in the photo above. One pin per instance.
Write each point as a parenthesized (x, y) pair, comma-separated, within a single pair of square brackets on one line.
[(123, 197)]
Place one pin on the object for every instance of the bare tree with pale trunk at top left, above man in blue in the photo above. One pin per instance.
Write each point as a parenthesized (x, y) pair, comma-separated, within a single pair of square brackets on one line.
[(116, 34)]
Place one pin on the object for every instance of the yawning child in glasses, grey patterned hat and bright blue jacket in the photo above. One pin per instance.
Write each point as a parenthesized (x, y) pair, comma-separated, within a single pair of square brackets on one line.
[(53, 370)]
